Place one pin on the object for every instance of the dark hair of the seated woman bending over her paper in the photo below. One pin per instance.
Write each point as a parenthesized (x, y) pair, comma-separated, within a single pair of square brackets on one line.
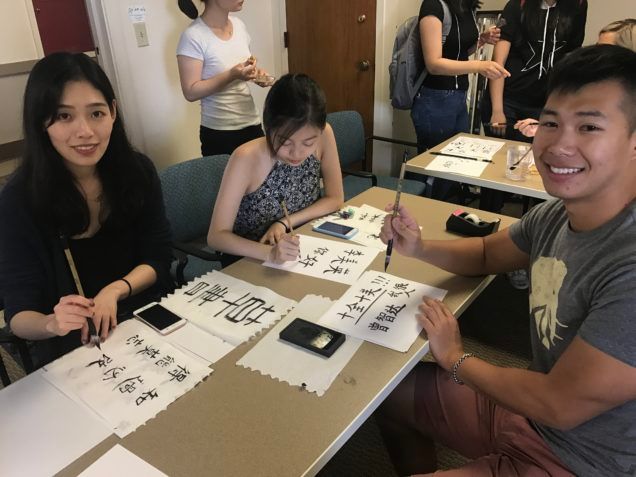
[(294, 101)]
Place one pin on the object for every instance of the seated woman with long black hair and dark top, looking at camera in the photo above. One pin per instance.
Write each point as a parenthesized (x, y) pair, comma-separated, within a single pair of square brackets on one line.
[(80, 185)]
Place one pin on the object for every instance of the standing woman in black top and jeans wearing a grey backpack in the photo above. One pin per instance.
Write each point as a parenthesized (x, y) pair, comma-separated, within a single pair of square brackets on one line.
[(439, 108)]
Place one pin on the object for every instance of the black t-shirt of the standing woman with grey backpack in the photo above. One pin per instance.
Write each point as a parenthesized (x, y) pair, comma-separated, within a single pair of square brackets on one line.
[(460, 39)]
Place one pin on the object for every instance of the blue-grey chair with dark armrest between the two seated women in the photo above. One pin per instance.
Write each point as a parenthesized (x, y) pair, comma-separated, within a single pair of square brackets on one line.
[(189, 192)]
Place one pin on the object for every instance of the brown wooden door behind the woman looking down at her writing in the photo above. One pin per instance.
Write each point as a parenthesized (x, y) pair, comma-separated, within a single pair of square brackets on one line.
[(333, 41)]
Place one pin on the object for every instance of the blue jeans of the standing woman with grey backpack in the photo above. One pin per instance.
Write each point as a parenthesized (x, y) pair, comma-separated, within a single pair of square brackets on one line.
[(437, 115)]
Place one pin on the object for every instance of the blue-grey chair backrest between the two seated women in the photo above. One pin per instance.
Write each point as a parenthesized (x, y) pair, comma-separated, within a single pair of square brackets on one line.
[(189, 193)]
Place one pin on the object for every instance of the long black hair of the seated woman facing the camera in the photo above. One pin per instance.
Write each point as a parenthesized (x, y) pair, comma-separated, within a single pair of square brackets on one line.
[(50, 187)]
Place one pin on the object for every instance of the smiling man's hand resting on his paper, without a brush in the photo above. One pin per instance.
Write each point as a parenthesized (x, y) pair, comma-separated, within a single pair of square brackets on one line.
[(442, 331)]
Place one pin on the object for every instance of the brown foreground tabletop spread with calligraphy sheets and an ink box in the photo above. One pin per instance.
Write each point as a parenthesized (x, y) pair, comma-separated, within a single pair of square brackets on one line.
[(238, 422)]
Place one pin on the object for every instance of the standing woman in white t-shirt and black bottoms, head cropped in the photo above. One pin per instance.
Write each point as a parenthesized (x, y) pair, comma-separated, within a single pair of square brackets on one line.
[(215, 64)]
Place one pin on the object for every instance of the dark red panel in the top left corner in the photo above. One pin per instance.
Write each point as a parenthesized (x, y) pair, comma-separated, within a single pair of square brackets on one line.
[(63, 25)]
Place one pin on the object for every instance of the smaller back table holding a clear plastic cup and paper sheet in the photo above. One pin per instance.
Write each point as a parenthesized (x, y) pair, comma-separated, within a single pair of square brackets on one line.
[(493, 177)]
